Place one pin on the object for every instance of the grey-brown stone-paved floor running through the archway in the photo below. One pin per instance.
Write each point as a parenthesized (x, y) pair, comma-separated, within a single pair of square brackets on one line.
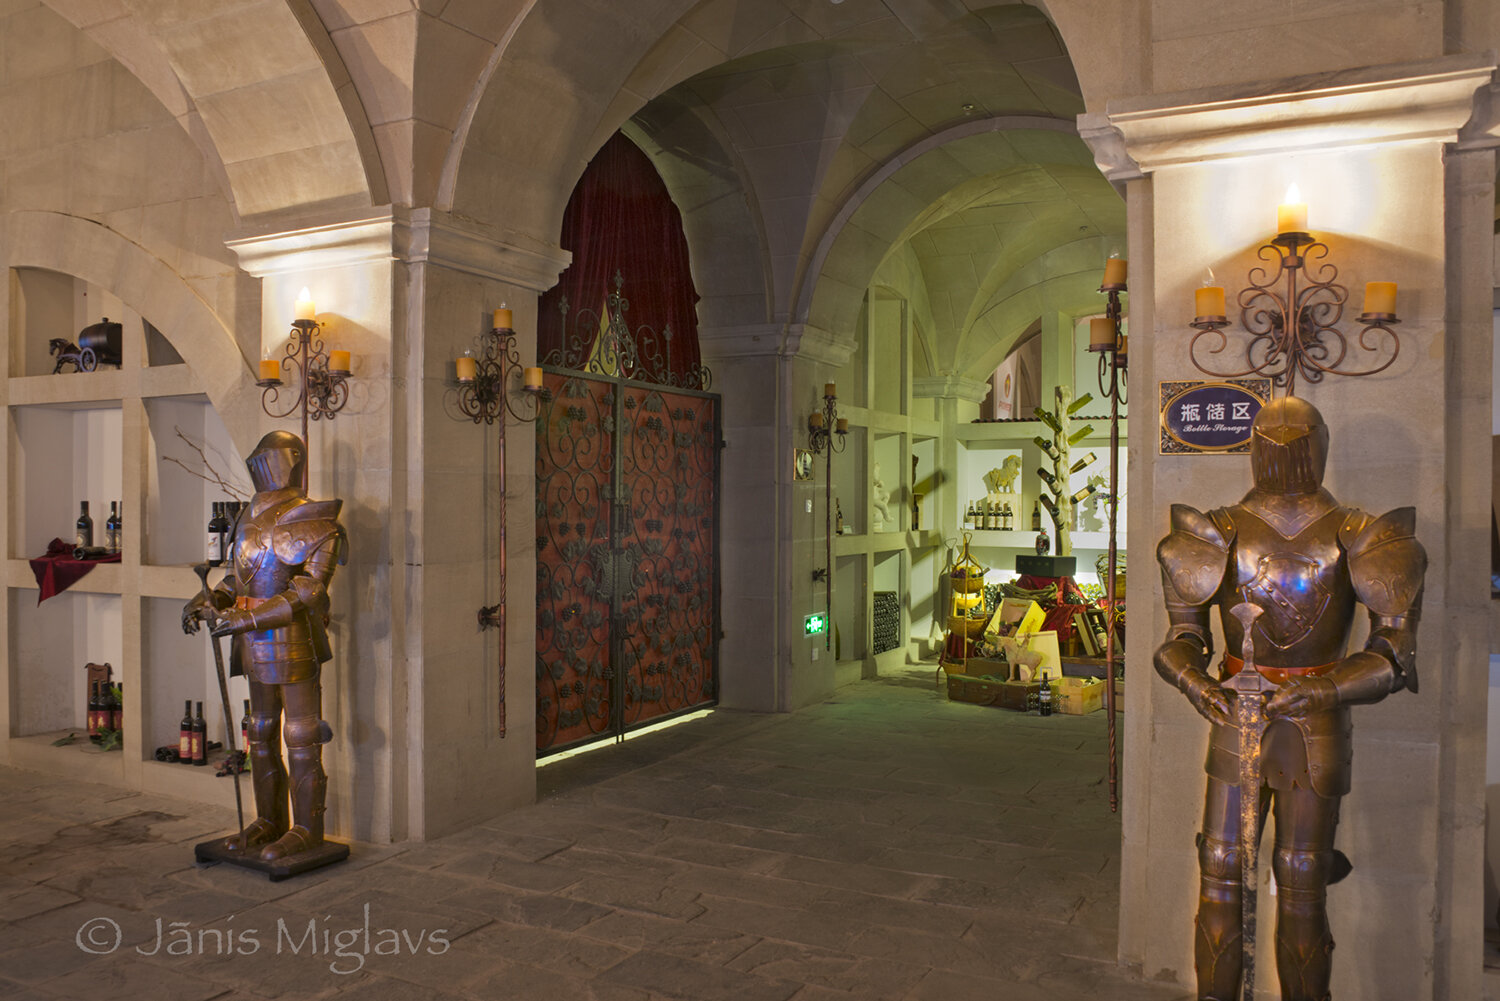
[(883, 846)]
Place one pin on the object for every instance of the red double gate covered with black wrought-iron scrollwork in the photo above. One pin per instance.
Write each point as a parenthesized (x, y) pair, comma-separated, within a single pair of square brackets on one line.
[(628, 556)]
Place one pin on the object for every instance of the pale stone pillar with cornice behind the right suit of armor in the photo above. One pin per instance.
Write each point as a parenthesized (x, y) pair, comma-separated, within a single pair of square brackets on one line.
[(1204, 176)]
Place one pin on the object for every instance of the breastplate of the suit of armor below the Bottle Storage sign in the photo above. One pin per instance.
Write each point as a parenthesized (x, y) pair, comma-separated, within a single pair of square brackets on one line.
[(1301, 585)]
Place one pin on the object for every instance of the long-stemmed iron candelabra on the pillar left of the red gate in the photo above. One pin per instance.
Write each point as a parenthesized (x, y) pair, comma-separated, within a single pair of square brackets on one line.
[(485, 377)]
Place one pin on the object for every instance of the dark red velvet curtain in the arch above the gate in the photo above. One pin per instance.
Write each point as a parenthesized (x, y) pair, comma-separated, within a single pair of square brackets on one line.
[(622, 221)]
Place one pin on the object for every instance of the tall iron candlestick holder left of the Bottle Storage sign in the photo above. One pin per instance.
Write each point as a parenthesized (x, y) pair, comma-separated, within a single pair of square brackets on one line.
[(1114, 368)]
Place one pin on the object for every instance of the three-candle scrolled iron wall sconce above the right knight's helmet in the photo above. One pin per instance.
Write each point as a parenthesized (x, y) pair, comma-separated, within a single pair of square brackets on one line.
[(1295, 329)]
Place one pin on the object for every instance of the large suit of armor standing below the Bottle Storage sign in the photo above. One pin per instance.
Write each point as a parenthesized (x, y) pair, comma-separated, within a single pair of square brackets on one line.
[(1304, 561)]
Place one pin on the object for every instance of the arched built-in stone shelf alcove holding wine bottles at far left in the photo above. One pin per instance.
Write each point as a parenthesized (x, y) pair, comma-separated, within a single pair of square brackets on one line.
[(106, 436)]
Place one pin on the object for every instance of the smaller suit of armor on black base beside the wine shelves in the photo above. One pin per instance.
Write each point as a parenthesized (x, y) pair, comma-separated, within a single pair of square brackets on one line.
[(275, 606)]
